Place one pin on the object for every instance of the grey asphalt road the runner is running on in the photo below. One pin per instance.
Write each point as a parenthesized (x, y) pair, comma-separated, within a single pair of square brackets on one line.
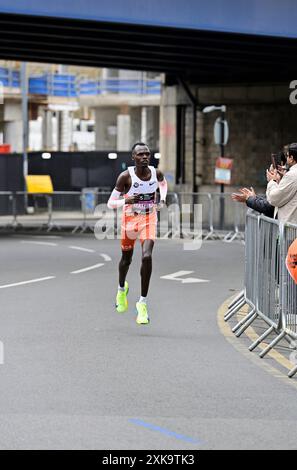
[(77, 375)]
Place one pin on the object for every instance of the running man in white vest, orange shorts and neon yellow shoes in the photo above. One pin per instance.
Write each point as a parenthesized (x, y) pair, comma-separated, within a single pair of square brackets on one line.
[(138, 185)]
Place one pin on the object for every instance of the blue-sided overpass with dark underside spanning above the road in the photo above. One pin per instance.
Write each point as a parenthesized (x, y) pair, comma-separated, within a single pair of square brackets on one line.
[(202, 42)]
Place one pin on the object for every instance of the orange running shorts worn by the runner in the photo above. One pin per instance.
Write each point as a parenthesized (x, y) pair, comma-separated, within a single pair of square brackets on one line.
[(142, 226)]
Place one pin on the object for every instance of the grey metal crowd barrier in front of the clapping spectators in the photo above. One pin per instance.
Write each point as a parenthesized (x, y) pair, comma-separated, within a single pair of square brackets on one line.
[(269, 289)]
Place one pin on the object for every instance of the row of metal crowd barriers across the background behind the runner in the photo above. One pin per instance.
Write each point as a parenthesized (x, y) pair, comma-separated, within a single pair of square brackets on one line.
[(76, 209)]
